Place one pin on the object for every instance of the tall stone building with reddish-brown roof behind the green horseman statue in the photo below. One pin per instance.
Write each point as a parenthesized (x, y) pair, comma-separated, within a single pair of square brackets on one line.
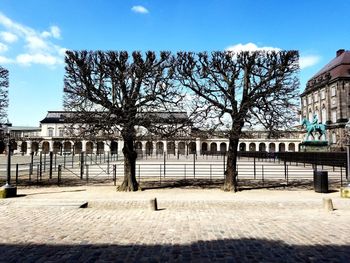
[(327, 95)]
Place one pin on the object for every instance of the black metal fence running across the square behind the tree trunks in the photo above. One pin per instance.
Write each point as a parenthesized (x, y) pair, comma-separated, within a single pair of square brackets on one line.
[(90, 168)]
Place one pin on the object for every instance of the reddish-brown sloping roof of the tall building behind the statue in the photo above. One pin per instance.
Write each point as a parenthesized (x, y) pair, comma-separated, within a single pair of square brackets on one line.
[(339, 67)]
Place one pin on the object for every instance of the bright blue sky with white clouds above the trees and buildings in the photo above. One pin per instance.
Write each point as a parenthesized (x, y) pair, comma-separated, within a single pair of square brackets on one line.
[(34, 35)]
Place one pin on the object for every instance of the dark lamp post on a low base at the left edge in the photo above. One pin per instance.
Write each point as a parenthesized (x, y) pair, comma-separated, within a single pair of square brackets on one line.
[(8, 190)]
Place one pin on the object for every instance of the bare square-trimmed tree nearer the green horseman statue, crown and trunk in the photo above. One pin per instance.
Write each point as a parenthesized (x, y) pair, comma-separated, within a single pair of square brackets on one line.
[(241, 89)]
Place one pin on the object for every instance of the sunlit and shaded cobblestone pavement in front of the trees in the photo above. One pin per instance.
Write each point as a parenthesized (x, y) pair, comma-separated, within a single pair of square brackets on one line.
[(190, 225)]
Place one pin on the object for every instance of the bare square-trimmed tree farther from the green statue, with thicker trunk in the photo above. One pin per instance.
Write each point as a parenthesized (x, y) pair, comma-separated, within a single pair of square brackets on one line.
[(113, 91)]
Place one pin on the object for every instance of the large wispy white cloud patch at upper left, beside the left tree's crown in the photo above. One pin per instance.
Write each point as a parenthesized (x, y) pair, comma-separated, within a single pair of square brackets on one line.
[(37, 47)]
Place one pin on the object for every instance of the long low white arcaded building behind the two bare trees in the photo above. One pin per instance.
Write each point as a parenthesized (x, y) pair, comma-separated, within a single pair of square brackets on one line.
[(52, 136)]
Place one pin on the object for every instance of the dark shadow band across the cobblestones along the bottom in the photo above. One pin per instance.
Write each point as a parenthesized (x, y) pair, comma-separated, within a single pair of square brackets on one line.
[(226, 250)]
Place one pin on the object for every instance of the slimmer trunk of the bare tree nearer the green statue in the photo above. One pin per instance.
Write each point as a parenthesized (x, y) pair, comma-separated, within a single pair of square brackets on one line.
[(230, 183)]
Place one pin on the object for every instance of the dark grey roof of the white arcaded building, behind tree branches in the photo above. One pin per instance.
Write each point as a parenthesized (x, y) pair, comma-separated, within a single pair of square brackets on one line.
[(161, 117)]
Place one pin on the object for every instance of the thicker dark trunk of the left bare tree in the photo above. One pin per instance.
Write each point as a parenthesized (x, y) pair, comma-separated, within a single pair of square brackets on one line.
[(130, 183)]
